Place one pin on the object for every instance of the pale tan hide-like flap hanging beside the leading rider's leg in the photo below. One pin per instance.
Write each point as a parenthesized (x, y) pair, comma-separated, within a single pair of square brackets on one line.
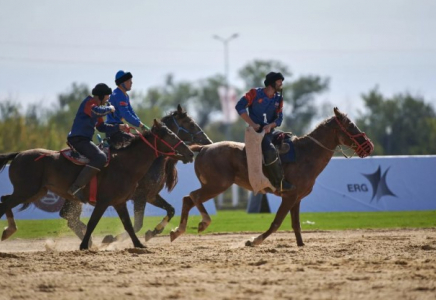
[(253, 148)]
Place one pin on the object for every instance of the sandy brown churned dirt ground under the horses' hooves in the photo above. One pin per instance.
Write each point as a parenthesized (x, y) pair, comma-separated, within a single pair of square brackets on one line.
[(361, 264)]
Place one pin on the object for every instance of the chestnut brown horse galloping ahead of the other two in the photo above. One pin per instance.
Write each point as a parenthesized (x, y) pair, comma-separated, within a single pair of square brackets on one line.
[(219, 165)]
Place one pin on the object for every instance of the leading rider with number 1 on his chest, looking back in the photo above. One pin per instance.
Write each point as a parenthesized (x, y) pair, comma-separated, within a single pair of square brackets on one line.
[(265, 108)]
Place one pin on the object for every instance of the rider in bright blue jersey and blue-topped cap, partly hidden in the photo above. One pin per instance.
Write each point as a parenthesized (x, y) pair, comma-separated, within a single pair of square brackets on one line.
[(123, 110)]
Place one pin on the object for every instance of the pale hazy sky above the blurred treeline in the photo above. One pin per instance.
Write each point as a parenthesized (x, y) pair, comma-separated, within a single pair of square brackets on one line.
[(45, 46)]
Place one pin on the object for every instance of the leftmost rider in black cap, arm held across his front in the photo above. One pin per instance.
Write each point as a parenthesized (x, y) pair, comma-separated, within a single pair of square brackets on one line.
[(90, 116)]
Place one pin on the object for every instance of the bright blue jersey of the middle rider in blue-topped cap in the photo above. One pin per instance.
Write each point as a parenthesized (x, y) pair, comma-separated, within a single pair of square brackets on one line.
[(123, 109)]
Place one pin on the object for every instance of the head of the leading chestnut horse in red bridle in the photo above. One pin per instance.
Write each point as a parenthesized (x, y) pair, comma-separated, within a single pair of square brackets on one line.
[(350, 135)]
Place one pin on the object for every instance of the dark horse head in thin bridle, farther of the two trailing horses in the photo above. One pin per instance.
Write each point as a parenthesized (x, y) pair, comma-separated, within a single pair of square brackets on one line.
[(186, 128)]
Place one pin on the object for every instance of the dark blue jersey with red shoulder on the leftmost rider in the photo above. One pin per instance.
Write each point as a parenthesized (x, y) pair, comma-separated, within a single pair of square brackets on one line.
[(90, 116)]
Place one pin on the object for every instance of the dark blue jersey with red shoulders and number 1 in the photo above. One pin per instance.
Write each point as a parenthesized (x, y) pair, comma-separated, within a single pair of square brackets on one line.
[(258, 104)]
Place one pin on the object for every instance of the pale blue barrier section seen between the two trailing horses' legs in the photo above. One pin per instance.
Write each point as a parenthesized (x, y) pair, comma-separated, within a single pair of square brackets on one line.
[(49, 206)]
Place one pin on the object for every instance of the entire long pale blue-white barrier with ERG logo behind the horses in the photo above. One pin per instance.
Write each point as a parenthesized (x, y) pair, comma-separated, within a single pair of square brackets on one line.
[(385, 183)]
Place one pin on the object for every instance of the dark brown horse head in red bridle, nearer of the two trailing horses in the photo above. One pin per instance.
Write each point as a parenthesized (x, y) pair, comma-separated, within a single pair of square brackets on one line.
[(167, 143)]
